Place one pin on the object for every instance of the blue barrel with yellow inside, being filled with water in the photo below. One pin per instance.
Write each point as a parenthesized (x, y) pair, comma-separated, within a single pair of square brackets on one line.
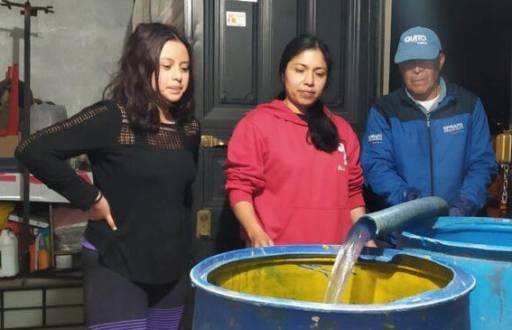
[(224, 303)]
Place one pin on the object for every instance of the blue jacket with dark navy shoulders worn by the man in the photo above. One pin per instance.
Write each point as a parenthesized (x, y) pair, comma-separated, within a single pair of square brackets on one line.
[(446, 152)]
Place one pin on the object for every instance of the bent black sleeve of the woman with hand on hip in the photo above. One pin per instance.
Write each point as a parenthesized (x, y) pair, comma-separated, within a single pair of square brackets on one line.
[(45, 153)]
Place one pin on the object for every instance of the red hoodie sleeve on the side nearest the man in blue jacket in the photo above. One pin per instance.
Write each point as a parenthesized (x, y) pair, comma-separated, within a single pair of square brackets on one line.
[(355, 172)]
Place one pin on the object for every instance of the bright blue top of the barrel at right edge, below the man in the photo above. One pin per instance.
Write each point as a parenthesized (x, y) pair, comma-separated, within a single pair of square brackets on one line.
[(477, 237)]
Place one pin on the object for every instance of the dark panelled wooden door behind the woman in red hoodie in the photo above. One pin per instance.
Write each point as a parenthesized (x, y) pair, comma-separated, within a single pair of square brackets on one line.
[(237, 47)]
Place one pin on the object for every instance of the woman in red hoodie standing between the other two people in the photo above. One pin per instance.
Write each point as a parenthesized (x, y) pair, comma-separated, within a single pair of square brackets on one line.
[(292, 170)]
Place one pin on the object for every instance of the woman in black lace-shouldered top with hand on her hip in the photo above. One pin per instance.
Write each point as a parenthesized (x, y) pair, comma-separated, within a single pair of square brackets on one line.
[(142, 142)]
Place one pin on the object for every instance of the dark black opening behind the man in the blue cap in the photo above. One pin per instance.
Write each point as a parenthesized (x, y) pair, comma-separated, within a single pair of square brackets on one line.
[(477, 37)]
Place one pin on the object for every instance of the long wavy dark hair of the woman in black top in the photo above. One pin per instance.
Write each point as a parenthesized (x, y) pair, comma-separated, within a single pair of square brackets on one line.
[(131, 86)]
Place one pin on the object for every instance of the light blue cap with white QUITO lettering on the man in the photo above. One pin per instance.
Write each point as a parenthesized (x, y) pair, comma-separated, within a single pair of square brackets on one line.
[(418, 43)]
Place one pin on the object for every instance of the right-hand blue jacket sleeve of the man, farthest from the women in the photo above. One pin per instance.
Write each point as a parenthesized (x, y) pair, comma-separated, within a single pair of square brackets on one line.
[(482, 160)]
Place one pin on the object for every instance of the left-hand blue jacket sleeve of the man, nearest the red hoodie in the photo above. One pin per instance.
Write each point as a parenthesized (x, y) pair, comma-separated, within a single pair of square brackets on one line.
[(378, 160)]
